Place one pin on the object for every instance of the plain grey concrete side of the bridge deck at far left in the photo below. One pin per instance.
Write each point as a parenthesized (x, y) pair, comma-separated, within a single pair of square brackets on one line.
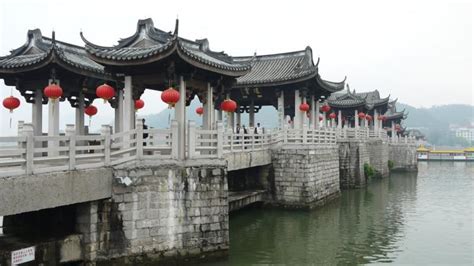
[(43, 191)]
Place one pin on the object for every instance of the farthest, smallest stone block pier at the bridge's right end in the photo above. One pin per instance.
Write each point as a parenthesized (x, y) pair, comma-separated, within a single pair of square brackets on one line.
[(403, 156)]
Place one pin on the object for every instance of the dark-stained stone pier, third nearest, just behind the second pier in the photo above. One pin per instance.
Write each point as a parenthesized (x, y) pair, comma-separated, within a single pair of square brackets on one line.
[(352, 157)]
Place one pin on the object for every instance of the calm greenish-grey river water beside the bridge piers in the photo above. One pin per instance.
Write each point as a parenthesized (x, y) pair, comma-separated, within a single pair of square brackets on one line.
[(408, 218)]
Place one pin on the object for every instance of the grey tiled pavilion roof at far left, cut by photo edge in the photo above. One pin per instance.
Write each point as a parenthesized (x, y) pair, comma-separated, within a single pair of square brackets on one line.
[(39, 50)]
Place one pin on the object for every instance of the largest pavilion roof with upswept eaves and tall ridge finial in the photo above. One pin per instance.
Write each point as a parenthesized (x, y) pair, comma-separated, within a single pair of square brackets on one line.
[(149, 44)]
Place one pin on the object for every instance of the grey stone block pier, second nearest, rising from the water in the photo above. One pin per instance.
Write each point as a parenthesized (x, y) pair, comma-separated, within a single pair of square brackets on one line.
[(305, 176)]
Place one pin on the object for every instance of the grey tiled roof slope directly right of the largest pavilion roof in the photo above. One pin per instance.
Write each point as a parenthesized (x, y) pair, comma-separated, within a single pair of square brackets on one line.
[(277, 68)]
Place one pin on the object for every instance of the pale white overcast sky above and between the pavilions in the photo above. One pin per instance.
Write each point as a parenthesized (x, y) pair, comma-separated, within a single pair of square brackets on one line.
[(417, 51)]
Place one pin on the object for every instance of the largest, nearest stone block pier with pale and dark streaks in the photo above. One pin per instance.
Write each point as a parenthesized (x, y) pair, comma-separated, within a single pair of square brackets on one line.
[(167, 211)]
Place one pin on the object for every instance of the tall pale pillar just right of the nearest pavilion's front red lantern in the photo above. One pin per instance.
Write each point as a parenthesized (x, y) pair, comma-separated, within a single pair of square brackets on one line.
[(180, 116)]
